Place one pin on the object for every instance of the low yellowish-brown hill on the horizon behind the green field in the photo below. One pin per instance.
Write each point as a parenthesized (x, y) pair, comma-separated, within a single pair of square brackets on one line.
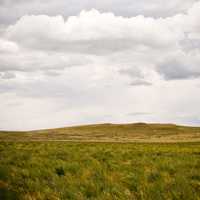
[(135, 132)]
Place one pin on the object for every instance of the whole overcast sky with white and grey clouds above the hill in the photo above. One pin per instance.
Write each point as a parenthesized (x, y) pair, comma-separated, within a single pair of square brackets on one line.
[(69, 62)]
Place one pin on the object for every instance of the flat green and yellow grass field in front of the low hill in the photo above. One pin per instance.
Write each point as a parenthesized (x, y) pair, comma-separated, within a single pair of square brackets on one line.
[(60, 170)]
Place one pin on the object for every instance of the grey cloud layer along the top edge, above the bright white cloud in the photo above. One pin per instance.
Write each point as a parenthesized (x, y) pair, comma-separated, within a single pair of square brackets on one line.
[(11, 10)]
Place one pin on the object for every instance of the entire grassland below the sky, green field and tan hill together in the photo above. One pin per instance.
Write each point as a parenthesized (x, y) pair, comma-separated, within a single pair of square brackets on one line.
[(101, 162)]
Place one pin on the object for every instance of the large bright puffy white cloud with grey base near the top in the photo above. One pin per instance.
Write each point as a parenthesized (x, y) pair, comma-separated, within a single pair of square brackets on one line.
[(92, 32)]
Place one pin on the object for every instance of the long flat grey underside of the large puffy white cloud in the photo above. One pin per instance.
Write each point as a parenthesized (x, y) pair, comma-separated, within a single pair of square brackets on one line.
[(95, 47)]
